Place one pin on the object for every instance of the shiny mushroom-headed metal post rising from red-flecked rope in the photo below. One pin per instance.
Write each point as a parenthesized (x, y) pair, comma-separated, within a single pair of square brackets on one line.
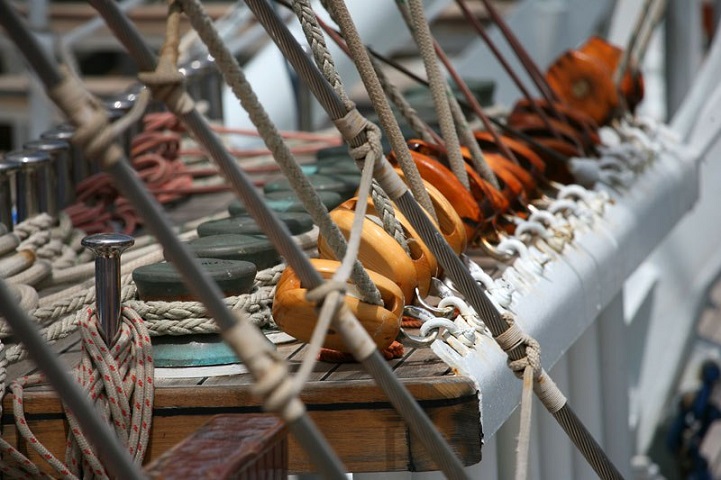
[(108, 247)]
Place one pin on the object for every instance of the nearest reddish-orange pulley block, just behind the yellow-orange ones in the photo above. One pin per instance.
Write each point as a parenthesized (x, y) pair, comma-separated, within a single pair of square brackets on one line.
[(452, 189)]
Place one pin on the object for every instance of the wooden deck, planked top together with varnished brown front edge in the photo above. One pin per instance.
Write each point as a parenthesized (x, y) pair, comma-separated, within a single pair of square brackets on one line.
[(347, 406)]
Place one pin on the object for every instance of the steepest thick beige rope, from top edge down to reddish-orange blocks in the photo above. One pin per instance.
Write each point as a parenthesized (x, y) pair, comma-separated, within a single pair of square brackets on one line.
[(420, 30)]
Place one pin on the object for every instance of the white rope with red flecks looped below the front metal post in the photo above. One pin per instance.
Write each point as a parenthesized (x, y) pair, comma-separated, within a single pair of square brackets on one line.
[(119, 381)]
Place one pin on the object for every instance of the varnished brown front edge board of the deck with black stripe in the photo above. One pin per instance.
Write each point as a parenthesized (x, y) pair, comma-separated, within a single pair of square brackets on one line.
[(355, 416)]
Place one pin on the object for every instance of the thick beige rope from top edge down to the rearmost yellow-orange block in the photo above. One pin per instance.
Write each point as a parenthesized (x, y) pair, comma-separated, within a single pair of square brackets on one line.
[(339, 13)]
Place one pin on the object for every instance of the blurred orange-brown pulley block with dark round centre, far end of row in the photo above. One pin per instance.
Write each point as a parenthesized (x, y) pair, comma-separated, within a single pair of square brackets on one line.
[(584, 83)]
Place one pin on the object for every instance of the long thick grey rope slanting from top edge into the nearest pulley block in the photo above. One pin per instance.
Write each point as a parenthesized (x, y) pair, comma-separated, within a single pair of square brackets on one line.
[(235, 77)]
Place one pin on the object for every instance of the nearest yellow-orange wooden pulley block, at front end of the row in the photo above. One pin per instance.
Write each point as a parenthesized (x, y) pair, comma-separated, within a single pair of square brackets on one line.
[(297, 316)]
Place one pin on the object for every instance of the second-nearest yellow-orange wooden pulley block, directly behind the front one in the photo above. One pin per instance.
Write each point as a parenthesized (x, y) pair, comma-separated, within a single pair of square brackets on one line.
[(378, 251)]
